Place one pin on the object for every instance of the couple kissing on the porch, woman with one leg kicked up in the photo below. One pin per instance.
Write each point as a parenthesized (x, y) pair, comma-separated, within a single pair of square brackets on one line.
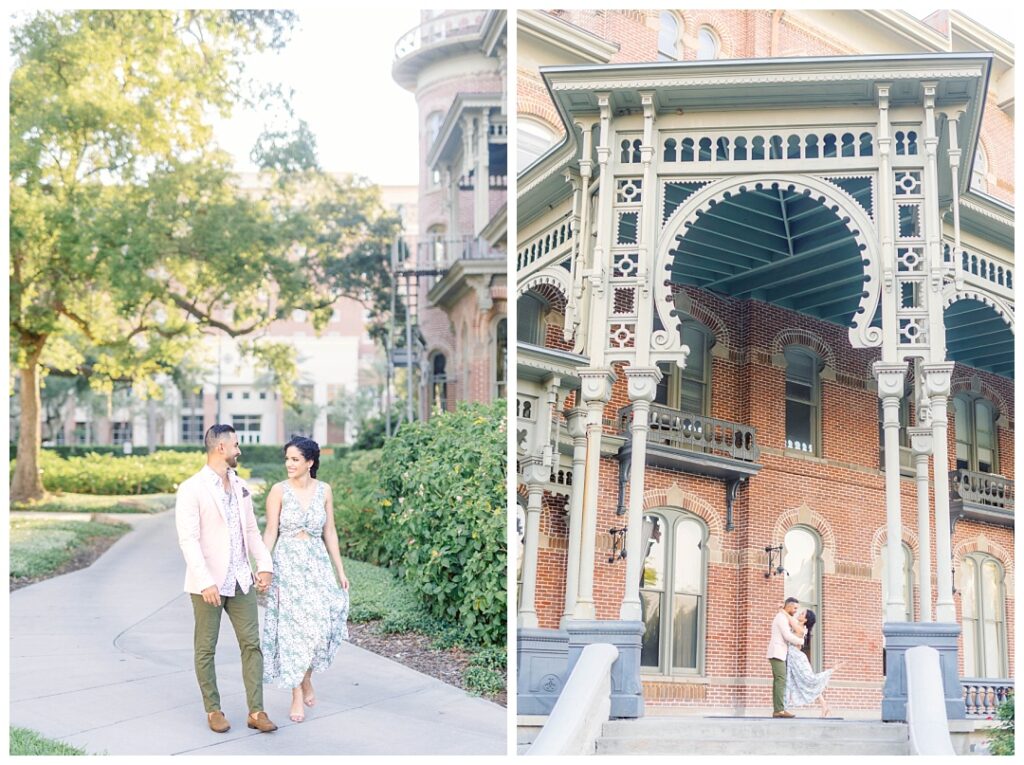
[(794, 683)]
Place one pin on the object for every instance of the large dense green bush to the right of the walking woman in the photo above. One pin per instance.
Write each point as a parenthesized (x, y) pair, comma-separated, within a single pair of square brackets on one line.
[(444, 518)]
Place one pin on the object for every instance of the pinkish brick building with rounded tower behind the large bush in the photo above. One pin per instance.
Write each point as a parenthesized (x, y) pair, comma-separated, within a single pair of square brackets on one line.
[(454, 63)]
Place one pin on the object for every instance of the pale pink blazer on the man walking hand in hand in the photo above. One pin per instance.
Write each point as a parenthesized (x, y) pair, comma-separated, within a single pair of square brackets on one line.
[(203, 532)]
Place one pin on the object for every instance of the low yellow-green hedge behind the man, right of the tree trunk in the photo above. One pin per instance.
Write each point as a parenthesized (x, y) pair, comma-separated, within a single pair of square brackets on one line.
[(95, 474)]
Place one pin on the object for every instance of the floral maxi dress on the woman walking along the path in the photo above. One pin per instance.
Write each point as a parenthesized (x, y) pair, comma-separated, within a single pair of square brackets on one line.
[(307, 609)]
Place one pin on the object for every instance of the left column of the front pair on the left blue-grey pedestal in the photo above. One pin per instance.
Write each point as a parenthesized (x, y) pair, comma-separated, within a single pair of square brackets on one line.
[(595, 391)]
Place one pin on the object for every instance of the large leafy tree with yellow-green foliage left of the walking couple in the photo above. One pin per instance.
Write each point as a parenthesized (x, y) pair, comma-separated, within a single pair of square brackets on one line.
[(130, 235)]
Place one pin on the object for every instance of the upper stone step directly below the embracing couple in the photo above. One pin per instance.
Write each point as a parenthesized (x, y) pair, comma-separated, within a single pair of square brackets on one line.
[(689, 729)]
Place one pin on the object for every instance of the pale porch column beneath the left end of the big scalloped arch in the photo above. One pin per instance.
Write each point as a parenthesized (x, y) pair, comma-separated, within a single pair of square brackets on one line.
[(643, 388)]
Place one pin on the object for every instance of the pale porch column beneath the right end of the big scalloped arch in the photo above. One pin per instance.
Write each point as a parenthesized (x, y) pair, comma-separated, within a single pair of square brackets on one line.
[(890, 377)]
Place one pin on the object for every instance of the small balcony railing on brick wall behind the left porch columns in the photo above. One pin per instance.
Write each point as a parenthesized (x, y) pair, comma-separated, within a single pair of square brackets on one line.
[(686, 431)]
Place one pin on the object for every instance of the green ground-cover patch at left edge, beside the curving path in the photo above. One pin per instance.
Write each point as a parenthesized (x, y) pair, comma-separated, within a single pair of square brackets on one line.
[(41, 548)]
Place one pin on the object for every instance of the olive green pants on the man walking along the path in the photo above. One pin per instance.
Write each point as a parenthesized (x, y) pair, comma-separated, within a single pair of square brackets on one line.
[(245, 619)]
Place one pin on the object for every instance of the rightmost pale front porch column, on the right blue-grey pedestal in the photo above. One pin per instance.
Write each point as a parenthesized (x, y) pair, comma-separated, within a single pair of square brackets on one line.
[(937, 380)]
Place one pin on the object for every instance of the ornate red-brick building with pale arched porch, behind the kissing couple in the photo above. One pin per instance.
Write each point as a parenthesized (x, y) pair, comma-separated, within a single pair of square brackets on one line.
[(772, 437)]
